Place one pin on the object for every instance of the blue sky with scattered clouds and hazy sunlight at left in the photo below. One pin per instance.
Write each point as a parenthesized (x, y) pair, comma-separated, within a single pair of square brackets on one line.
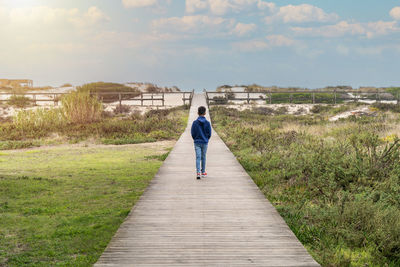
[(196, 44)]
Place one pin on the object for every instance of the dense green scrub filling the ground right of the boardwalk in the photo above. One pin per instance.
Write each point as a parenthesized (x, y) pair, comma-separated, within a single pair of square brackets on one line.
[(336, 184)]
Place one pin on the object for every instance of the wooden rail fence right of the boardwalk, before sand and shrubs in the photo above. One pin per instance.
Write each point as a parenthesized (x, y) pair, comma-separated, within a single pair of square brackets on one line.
[(299, 97)]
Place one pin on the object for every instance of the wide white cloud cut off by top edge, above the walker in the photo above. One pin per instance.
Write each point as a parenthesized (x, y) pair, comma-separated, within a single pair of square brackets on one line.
[(222, 7)]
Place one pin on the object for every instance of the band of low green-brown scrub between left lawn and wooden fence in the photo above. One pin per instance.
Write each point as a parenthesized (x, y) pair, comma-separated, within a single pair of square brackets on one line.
[(33, 128)]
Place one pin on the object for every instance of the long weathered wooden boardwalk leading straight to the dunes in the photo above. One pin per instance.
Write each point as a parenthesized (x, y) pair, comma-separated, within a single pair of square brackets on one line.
[(221, 220)]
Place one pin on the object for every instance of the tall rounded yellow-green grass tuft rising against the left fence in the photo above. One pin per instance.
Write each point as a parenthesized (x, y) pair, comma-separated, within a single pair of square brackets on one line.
[(81, 107)]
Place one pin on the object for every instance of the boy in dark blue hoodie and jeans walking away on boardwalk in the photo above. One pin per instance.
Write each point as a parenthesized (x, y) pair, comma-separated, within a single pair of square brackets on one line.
[(201, 133)]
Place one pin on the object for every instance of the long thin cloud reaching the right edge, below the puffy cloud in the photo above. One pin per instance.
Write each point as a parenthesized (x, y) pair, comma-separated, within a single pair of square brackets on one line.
[(370, 30)]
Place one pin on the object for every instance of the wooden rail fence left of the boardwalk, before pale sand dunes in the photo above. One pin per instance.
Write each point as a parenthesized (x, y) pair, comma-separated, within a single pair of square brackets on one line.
[(109, 97)]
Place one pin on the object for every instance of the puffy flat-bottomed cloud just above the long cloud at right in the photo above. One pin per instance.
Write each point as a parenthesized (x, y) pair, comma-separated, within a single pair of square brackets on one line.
[(300, 14)]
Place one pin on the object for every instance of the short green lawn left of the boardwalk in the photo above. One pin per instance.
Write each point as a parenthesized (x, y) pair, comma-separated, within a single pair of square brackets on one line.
[(61, 206)]
